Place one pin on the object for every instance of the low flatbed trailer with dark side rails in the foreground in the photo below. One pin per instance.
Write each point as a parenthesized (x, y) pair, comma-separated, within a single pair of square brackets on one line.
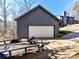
[(26, 48)]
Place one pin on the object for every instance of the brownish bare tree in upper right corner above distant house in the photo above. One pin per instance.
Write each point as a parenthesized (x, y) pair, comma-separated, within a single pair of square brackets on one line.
[(74, 9)]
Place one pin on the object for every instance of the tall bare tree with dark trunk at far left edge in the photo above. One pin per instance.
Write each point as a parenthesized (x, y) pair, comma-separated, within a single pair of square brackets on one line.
[(5, 10)]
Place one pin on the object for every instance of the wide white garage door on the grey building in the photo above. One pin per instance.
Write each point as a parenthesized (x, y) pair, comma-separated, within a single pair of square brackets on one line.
[(41, 31)]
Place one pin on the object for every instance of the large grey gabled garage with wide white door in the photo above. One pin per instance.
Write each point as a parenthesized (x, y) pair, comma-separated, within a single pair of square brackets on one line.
[(39, 23)]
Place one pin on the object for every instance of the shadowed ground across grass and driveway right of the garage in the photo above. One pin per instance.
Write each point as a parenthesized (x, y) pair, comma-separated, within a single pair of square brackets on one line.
[(68, 35)]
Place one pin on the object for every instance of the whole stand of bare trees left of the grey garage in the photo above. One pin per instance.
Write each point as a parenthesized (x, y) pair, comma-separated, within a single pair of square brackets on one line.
[(9, 10)]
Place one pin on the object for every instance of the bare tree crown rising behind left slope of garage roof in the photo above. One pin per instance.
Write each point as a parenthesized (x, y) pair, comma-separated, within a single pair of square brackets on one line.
[(25, 5)]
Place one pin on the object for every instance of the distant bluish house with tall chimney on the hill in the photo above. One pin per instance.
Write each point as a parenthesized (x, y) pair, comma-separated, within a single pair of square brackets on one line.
[(64, 20)]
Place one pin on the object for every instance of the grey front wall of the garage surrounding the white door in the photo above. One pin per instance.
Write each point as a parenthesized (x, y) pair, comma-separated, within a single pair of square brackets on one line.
[(37, 17)]
